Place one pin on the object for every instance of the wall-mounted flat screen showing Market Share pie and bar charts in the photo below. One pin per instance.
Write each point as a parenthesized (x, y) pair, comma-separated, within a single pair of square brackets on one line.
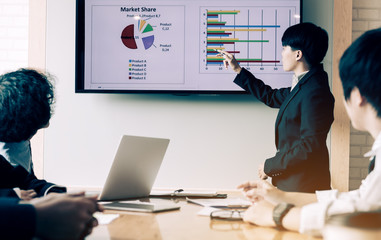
[(169, 46)]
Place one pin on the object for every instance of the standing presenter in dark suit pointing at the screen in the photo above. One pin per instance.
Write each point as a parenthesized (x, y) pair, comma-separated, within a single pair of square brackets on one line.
[(301, 163)]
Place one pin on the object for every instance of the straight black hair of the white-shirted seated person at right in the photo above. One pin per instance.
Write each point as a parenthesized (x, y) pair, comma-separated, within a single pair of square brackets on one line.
[(360, 67)]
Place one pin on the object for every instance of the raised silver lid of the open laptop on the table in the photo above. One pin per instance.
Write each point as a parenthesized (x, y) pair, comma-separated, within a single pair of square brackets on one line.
[(135, 167)]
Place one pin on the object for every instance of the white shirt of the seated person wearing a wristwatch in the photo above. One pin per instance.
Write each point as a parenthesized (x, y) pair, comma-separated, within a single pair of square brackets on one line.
[(330, 202)]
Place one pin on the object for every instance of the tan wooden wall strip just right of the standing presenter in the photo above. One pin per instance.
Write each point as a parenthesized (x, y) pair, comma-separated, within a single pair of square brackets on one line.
[(340, 132)]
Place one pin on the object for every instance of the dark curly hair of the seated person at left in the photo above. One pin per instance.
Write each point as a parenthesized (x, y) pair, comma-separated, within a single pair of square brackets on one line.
[(26, 97)]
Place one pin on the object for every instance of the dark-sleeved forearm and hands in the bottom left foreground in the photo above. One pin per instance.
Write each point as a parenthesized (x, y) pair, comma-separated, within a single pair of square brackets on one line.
[(57, 216)]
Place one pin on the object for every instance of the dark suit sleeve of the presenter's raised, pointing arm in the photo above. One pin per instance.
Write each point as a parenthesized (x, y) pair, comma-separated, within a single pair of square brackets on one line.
[(264, 93)]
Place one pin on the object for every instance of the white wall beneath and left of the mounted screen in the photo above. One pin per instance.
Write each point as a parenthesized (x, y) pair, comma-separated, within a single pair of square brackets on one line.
[(216, 141)]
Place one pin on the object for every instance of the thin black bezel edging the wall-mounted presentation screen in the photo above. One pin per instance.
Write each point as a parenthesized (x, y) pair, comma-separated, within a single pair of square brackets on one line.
[(80, 63)]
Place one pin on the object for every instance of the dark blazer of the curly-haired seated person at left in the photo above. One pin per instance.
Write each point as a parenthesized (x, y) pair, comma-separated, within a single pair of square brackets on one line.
[(11, 177)]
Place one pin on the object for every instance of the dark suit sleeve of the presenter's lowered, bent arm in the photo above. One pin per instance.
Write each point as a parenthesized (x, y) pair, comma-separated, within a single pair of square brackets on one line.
[(316, 119)]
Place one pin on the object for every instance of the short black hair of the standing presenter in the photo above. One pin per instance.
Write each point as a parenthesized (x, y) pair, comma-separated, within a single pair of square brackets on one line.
[(308, 38)]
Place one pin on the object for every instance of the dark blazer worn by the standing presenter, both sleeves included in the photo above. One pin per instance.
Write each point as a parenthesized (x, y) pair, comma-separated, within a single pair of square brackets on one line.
[(305, 115)]
